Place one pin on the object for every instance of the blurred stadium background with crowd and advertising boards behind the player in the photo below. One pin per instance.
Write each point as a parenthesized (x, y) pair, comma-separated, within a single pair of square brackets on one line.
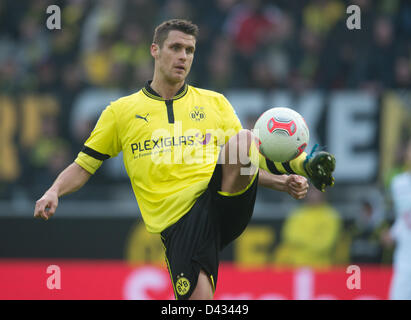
[(352, 87)]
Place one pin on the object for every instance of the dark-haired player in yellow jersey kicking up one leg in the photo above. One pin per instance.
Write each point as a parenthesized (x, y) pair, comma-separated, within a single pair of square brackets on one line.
[(193, 169)]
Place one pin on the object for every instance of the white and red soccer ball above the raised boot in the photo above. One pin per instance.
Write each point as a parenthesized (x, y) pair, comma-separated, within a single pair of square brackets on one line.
[(283, 134)]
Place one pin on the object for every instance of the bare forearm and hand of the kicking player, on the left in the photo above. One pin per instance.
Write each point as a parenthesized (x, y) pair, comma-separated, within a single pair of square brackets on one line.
[(69, 180)]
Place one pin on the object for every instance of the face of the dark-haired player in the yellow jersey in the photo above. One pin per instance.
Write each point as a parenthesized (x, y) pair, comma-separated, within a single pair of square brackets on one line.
[(175, 57)]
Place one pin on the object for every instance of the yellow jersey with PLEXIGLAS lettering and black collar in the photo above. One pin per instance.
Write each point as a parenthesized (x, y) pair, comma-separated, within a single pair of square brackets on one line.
[(170, 147)]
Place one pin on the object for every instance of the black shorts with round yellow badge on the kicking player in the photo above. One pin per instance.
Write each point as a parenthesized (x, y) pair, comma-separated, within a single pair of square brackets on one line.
[(195, 241)]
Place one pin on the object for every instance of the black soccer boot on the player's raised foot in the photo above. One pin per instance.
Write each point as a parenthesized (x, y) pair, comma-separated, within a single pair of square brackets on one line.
[(319, 169)]
